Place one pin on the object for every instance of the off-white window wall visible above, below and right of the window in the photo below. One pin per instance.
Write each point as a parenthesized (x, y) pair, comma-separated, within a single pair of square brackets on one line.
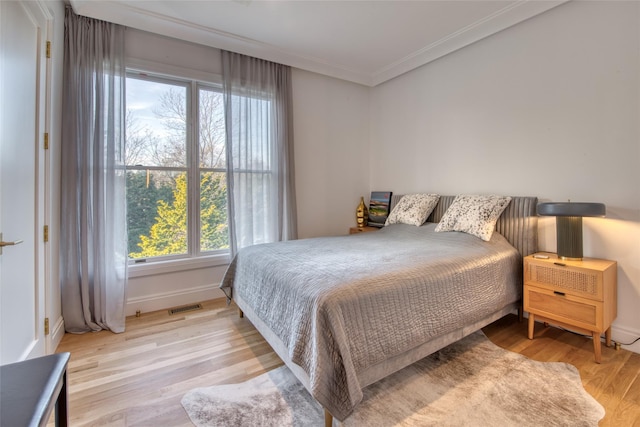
[(330, 136)]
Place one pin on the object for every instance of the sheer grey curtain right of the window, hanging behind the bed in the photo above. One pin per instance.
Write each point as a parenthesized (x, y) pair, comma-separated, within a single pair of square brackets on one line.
[(259, 128)]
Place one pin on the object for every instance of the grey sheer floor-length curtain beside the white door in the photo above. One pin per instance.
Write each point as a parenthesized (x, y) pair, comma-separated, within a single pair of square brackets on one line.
[(93, 240)]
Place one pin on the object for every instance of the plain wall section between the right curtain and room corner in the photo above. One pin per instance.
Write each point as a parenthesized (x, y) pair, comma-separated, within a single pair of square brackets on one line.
[(331, 139)]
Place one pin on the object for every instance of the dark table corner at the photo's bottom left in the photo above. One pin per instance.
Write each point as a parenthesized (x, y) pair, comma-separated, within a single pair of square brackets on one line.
[(31, 389)]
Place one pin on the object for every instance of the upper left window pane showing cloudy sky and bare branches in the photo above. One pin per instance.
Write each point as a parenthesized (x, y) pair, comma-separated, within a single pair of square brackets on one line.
[(156, 123)]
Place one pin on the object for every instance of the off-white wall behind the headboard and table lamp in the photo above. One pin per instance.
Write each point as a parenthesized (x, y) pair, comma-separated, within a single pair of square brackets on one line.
[(548, 108)]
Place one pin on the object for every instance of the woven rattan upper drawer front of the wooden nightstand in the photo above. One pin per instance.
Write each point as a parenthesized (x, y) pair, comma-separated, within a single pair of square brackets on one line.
[(579, 282)]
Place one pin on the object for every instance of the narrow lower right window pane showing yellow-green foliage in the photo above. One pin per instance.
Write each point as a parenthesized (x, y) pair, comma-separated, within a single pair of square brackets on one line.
[(214, 233)]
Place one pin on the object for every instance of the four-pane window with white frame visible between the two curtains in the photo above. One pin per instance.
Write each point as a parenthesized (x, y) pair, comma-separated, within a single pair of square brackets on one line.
[(176, 169)]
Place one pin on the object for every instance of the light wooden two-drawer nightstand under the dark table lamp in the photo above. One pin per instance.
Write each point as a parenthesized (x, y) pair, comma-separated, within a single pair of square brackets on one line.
[(577, 295)]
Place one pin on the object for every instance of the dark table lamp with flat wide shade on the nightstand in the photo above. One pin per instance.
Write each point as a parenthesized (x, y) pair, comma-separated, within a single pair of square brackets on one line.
[(569, 225)]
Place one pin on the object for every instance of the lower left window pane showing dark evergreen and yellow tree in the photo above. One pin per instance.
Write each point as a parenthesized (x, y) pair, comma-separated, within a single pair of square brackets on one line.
[(156, 213)]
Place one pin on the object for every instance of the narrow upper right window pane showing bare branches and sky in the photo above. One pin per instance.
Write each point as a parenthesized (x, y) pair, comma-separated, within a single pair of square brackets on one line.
[(211, 129)]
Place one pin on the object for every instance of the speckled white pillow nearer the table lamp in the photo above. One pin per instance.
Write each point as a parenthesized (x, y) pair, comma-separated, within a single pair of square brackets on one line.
[(475, 215)]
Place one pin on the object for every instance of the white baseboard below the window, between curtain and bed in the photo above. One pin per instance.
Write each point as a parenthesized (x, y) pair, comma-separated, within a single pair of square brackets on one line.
[(165, 300)]
